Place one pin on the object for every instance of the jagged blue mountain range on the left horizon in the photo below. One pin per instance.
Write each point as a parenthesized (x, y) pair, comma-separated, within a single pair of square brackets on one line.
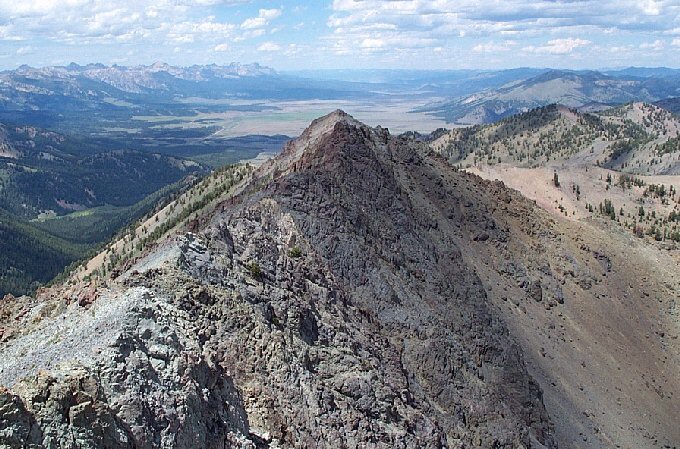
[(145, 89)]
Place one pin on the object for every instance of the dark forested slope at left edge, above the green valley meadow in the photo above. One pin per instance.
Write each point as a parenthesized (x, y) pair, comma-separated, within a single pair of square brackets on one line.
[(45, 171)]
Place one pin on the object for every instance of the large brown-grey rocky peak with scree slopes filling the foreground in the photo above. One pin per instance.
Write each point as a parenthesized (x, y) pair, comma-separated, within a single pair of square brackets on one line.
[(356, 291)]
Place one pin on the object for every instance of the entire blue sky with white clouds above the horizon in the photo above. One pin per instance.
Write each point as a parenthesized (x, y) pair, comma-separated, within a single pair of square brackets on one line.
[(343, 34)]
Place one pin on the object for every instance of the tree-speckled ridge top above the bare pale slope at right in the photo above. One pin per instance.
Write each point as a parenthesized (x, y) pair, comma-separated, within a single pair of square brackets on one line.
[(637, 138)]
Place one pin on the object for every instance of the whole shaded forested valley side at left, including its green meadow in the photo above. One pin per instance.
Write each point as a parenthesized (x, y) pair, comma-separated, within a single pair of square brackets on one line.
[(60, 196)]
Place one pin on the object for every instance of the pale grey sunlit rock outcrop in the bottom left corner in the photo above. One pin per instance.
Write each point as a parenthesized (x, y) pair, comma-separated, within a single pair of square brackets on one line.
[(140, 382)]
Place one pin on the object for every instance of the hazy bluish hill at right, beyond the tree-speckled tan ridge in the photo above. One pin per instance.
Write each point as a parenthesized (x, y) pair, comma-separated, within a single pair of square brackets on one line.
[(569, 88)]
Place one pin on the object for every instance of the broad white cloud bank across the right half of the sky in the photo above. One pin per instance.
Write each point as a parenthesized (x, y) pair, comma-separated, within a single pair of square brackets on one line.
[(403, 25)]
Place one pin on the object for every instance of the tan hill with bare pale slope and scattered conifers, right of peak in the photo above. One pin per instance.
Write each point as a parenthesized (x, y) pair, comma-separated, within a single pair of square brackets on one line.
[(620, 165)]
